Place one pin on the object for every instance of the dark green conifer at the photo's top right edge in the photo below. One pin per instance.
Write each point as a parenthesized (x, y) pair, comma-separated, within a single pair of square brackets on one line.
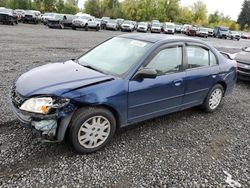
[(244, 17)]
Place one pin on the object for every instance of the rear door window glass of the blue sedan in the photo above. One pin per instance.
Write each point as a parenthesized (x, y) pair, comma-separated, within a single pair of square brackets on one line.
[(197, 57)]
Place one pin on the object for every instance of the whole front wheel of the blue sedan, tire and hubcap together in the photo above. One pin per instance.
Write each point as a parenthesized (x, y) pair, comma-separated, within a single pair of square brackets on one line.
[(91, 129)]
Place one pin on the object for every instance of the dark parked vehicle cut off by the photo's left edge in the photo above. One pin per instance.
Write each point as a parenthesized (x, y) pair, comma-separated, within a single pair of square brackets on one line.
[(7, 16)]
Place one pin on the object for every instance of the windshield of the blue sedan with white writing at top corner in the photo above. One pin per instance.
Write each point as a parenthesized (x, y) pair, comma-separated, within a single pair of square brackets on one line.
[(116, 56)]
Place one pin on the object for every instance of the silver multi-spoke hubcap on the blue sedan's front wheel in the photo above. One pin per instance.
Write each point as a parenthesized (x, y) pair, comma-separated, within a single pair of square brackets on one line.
[(94, 132)]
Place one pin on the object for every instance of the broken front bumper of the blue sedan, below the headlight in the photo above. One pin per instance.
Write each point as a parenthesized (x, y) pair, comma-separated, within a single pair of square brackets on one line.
[(49, 127)]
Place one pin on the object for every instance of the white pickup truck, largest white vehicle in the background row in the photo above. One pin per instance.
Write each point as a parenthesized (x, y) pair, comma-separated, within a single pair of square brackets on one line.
[(85, 21)]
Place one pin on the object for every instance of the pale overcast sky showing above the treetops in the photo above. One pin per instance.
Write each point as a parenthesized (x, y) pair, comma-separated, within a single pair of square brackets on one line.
[(230, 8)]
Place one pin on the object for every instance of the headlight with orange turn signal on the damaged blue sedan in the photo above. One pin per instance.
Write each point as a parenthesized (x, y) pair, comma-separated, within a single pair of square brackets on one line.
[(40, 105)]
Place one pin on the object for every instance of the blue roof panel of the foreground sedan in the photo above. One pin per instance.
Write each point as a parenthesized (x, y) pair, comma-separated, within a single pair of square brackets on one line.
[(148, 37)]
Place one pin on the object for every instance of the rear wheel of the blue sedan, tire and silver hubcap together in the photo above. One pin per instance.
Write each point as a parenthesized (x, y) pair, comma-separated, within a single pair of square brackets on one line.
[(214, 98)]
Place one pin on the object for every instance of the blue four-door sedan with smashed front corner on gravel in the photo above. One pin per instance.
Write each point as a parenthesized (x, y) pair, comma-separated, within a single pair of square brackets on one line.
[(127, 79)]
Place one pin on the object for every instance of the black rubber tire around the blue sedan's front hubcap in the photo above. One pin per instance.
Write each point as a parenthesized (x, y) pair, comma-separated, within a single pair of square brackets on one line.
[(82, 115)]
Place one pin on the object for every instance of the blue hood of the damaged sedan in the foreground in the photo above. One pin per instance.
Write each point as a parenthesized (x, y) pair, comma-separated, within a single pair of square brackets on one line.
[(57, 79)]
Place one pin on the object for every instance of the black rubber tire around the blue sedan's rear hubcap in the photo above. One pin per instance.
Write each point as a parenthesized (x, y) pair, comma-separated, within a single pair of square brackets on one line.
[(206, 106)]
